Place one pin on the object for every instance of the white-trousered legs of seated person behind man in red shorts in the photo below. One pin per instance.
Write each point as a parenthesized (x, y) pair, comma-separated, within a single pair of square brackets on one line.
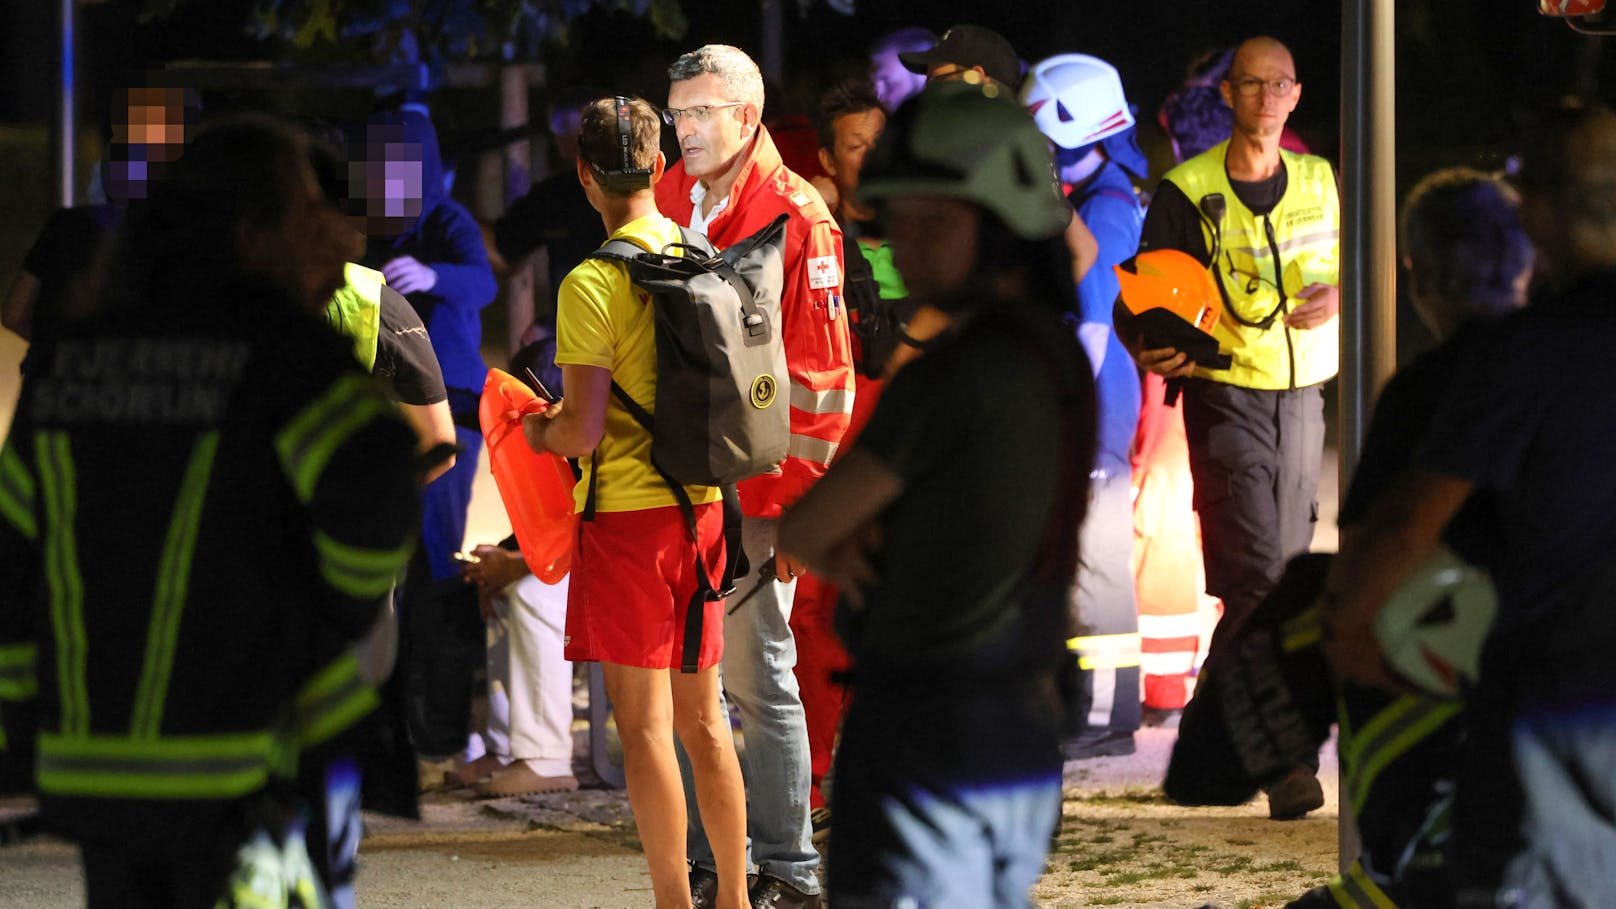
[(526, 745)]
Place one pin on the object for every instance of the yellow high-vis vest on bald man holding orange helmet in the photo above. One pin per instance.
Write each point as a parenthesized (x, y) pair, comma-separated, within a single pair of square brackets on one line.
[(1263, 263)]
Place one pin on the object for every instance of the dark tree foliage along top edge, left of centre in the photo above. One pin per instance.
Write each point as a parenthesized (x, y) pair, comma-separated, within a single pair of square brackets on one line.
[(429, 32)]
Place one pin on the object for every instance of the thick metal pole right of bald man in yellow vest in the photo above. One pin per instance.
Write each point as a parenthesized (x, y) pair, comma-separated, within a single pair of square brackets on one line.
[(1370, 248)]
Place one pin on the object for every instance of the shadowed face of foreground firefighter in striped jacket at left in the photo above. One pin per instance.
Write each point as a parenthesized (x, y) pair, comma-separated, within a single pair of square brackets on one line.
[(308, 250)]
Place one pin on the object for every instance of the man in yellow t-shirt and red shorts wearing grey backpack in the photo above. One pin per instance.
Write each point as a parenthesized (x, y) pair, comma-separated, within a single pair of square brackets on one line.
[(634, 572)]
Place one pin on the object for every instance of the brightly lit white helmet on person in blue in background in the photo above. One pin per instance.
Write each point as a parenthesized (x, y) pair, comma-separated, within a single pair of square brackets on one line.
[(1077, 99)]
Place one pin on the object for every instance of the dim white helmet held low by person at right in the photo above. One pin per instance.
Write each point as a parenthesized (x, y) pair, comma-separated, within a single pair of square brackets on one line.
[(1433, 627)]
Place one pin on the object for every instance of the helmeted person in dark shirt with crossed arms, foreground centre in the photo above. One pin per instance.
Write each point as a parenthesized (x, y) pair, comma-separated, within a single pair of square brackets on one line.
[(951, 526)]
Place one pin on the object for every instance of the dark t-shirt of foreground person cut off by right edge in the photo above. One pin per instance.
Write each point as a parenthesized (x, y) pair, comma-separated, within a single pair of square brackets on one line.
[(1528, 420)]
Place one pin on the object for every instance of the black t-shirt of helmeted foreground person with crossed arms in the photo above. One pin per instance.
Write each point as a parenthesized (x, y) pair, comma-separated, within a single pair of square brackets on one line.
[(972, 429)]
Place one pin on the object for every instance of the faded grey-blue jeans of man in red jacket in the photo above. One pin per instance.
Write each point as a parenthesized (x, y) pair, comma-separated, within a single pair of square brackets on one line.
[(759, 657)]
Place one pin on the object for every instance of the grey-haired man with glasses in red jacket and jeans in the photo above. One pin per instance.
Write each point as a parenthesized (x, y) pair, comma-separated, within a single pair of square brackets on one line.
[(728, 184)]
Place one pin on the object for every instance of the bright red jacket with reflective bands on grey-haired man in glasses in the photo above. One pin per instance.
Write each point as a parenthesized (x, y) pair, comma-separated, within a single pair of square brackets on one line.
[(819, 353)]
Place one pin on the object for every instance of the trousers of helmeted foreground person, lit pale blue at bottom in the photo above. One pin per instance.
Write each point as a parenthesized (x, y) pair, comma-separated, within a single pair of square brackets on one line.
[(925, 813)]
